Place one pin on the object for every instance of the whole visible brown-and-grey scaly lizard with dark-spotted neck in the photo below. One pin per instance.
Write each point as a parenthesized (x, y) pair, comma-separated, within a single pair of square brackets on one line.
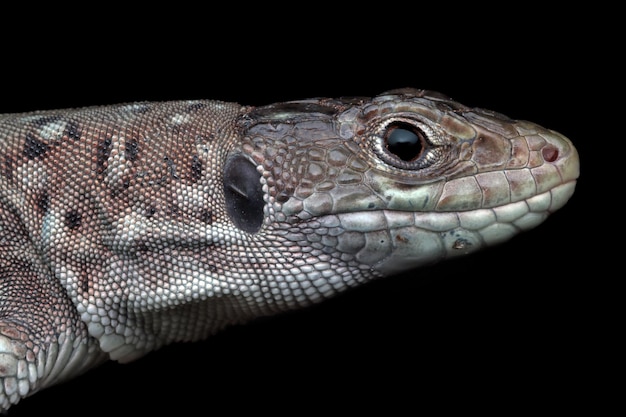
[(127, 227)]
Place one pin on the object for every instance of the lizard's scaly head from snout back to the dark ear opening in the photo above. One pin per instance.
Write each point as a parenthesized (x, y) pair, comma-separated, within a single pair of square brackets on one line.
[(381, 186)]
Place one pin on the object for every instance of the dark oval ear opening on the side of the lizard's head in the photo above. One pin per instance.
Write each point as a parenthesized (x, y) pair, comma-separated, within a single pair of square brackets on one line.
[(244, 194)]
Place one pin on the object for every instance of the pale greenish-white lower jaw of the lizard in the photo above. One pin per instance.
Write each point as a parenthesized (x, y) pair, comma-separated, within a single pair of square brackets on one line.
[(406, 240)]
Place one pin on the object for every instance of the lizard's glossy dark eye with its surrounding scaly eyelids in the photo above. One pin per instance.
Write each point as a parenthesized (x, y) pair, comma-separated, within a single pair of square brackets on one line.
[(405, 143)]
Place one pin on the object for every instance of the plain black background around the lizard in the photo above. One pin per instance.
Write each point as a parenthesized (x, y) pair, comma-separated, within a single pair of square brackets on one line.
[(506, 329)]
